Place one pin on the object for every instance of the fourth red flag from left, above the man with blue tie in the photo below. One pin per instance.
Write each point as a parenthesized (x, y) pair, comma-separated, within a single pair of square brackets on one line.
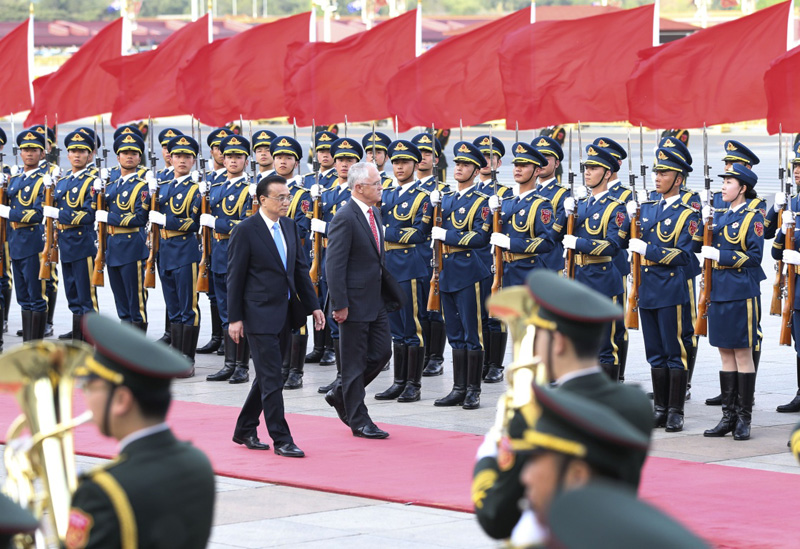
[(205, 82)]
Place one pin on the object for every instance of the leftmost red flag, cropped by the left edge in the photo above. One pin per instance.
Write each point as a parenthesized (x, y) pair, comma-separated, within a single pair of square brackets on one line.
[(15, 63)]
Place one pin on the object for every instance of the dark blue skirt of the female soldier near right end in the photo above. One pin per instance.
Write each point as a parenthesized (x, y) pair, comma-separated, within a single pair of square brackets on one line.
[(733, 324)]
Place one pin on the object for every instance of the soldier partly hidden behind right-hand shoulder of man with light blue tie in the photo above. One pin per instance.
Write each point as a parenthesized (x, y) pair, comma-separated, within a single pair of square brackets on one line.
[(287, 152)]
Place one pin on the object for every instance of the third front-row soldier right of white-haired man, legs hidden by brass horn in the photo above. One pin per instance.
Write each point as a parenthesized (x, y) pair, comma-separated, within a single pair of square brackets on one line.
[(527, 220)]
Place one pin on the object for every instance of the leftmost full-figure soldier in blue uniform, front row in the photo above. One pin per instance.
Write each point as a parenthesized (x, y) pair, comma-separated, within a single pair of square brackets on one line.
[(25, 233)]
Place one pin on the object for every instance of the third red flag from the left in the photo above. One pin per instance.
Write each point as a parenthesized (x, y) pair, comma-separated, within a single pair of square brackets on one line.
[(146, 80)]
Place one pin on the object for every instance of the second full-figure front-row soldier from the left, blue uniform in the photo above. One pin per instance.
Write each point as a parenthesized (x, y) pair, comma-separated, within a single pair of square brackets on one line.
[(72, 209)]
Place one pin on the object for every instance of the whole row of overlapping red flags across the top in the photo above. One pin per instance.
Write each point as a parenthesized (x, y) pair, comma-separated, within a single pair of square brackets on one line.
[(533, 75)]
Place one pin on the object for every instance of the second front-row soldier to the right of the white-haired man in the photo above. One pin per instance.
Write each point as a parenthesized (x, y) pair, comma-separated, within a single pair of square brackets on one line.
[(465, 229)]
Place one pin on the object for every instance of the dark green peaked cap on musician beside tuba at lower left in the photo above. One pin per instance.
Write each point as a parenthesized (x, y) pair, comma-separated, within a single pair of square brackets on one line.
[(124, 356)]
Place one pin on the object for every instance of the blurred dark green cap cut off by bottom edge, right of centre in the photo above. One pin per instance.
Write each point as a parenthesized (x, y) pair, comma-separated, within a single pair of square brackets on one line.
[(601, 516)]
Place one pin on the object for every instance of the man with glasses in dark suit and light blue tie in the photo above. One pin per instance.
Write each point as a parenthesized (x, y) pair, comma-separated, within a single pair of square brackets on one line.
[(269, 294)]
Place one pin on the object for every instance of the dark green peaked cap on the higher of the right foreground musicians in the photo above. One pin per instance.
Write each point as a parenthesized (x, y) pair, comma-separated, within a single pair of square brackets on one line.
[(568, 306)]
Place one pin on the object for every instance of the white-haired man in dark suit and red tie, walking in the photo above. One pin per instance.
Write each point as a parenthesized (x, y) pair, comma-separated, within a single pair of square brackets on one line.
[(357, 283)]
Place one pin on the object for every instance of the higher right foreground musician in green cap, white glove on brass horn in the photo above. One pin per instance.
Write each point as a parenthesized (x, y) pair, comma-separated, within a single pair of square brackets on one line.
[(571, 320)]
